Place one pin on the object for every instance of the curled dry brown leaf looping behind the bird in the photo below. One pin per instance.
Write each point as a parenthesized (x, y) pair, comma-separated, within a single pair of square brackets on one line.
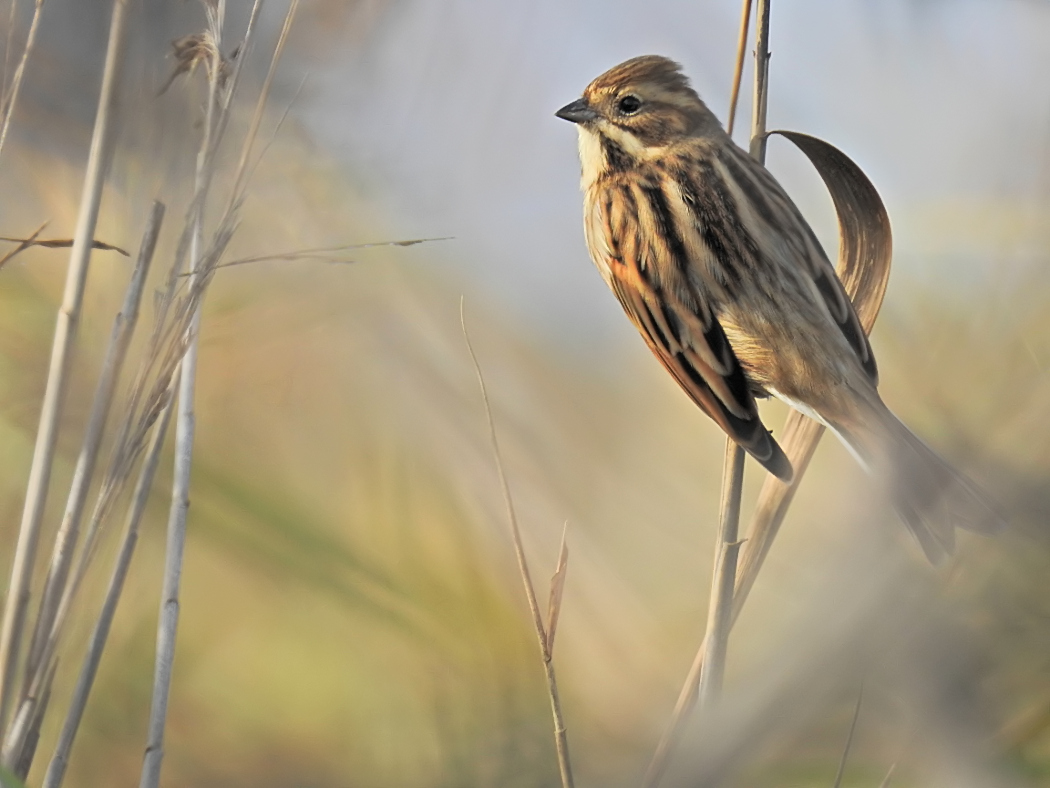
[(866, 251)]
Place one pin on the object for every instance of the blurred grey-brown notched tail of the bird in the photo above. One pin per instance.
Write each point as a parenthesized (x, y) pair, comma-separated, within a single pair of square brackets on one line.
[(930, 495)]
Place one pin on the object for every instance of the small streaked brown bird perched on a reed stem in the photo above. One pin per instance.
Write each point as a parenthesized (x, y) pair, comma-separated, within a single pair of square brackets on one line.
[(733, 294)]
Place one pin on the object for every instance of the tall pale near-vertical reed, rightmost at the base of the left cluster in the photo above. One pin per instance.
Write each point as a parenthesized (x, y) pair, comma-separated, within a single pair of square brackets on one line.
[(185, 427)]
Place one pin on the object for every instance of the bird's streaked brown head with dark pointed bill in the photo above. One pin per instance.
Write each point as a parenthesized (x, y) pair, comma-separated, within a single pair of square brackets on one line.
[(636, 111)]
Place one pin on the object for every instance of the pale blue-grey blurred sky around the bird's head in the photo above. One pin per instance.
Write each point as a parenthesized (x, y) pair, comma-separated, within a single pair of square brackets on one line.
[(448, 116)]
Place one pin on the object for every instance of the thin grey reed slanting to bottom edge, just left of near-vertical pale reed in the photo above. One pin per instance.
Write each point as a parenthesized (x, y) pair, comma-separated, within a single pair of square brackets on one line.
[(57, 768)]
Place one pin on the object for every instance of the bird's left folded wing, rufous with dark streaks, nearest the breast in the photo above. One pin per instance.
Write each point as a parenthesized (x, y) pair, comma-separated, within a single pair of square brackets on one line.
[(675, 319)]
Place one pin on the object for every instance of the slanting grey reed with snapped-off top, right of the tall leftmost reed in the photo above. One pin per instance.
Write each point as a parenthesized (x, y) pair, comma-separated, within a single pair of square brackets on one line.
[(55, 598)]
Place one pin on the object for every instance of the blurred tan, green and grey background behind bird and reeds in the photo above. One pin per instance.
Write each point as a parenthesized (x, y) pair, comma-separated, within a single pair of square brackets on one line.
[(352, 613)]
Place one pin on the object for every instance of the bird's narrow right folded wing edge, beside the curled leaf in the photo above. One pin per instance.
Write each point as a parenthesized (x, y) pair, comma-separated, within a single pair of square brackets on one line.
[(770, 204)]
